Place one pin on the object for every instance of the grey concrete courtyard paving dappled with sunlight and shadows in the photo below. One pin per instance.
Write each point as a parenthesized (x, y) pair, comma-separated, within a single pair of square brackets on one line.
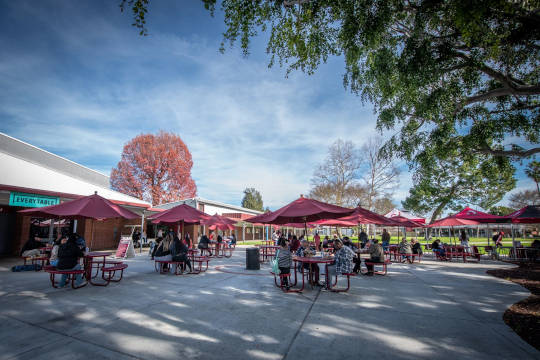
[(423, 311)]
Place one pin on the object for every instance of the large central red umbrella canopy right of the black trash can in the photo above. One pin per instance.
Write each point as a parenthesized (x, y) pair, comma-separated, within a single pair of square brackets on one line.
[(301, 210)]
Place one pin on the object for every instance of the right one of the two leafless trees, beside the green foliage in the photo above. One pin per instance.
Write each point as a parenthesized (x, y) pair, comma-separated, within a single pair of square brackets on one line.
[(381, 176)]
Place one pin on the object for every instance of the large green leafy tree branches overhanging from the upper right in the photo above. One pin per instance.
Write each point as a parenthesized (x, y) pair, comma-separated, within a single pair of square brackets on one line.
[(446, 74)]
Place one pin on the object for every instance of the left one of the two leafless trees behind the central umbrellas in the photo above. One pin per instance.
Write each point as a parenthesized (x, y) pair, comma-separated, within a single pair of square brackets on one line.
[(335, 179)]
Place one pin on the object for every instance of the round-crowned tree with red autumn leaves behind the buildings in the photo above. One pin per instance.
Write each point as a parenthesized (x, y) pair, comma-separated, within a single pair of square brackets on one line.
[(155, 168)]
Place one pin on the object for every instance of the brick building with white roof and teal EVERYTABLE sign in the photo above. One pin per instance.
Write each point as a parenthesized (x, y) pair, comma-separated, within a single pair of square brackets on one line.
[(33, 177)]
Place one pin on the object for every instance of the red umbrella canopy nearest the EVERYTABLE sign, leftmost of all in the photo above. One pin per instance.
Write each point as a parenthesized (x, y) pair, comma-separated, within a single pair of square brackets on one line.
[(92, 207)]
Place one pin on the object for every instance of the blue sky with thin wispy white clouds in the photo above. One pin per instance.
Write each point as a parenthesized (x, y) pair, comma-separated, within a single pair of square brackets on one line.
[(77, 80)]
